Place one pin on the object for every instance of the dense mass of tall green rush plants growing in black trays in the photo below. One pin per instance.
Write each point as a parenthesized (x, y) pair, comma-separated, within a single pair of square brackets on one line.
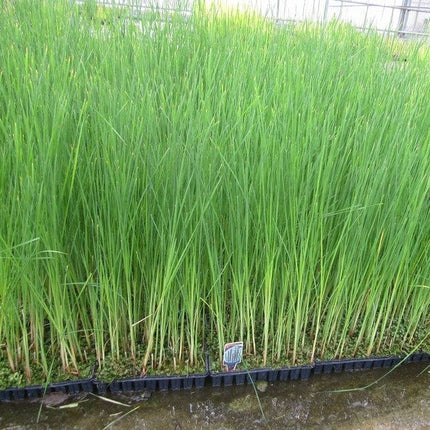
[(169, 181)]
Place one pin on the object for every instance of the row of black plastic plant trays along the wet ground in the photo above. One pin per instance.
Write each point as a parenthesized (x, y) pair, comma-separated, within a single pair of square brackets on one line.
[(215, 379)]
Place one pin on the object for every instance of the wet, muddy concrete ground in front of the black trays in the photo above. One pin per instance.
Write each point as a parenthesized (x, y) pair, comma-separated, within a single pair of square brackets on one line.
[(399, 401)]
